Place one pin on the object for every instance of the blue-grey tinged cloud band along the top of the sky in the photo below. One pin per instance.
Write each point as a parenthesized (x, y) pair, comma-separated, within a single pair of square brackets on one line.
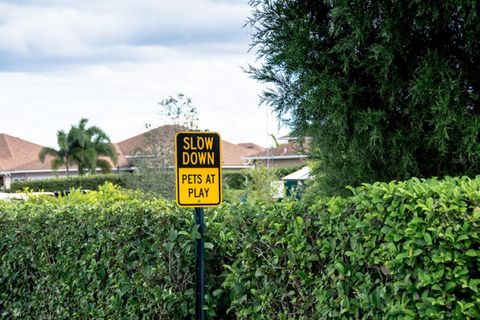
[(86, 27)]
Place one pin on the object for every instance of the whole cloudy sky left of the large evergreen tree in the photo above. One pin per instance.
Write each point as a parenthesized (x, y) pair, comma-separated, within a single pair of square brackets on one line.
[(113, 61)]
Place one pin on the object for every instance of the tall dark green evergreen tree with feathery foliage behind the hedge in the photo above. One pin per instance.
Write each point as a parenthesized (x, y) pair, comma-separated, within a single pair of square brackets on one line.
[(383, 89)]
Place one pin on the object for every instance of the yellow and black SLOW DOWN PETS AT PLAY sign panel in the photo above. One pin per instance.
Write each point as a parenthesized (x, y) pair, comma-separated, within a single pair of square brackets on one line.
[(198, 169)]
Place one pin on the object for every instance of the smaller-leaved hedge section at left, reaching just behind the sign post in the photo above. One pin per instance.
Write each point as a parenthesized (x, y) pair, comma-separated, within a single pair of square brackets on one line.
[(102, 255)]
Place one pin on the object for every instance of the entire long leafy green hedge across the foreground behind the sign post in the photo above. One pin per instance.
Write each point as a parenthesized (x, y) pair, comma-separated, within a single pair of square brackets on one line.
[(402, 250)]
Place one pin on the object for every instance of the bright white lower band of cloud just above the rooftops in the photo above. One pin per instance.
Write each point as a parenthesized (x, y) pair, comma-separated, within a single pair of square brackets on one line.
[(121, 98)]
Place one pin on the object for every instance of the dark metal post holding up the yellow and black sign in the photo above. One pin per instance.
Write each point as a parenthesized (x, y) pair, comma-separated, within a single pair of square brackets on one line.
[(199, 266)]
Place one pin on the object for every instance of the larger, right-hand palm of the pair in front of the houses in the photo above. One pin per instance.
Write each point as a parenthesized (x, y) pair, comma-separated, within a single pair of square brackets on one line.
[(90, 148)]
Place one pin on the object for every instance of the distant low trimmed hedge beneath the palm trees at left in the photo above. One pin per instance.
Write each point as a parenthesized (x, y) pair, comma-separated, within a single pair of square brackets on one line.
[(63, 184)]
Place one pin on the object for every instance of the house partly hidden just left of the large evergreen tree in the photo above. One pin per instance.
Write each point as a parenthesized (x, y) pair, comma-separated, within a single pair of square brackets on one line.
[(290, 154)]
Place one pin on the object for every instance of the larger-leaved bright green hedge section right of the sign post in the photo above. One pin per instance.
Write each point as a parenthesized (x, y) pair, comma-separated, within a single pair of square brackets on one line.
[(392, 250)]
